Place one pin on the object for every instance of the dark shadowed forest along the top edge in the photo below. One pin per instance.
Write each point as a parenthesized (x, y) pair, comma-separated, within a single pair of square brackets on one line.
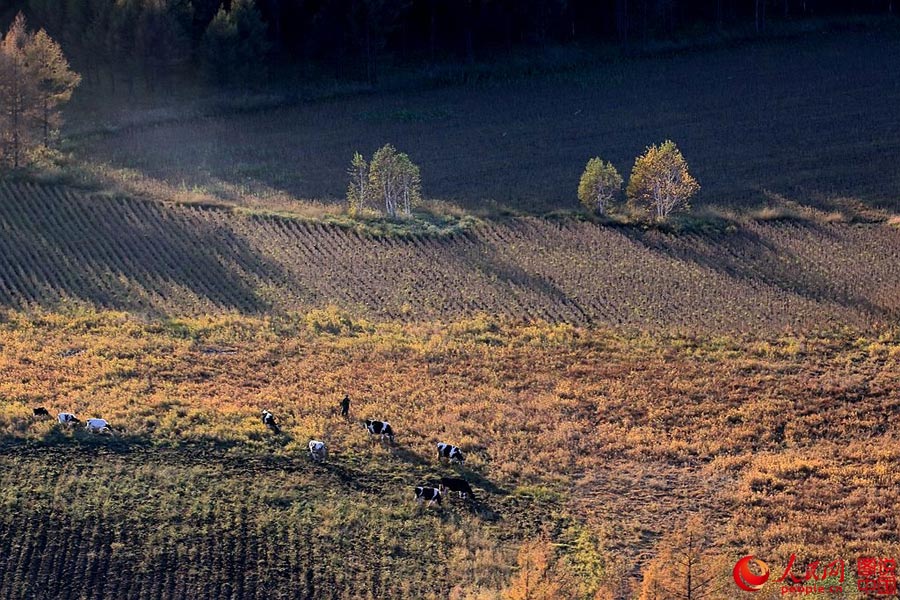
[(236, 40)]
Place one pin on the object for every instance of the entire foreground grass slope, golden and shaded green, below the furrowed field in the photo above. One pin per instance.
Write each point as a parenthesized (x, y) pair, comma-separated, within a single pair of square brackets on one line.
[(785, 444)]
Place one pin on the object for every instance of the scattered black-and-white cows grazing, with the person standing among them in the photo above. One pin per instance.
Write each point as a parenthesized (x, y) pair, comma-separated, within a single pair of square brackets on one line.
[(318, 451)]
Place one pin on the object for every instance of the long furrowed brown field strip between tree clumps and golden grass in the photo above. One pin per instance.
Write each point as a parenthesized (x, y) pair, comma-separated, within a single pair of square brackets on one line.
[(62, 248)]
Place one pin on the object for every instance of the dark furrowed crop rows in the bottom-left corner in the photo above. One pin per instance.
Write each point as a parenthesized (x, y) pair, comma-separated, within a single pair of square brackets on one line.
[(235, 559)]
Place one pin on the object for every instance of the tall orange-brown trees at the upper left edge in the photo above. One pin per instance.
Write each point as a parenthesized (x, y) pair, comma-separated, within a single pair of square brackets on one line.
[(35, 81)]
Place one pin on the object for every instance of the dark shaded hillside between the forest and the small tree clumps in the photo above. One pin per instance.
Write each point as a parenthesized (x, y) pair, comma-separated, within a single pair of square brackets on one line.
[(812, 120)]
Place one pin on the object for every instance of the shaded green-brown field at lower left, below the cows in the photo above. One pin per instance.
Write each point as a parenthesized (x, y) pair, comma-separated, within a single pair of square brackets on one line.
[(151, 523)]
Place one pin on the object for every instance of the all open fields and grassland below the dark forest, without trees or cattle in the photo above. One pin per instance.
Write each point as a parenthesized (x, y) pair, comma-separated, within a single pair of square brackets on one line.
[(730, 378)]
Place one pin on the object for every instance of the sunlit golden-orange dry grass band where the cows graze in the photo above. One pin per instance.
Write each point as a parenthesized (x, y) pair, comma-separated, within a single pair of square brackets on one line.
[(785, 444)]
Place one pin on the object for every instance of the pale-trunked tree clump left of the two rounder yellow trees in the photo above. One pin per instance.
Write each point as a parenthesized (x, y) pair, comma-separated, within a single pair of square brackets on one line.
[(389, 182)]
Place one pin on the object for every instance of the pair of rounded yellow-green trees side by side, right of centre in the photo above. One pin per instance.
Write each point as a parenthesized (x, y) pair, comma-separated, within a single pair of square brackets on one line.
[(660, 183)]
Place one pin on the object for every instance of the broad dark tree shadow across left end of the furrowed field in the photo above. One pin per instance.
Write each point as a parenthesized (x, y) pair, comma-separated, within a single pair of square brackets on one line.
[(123, 254)]
